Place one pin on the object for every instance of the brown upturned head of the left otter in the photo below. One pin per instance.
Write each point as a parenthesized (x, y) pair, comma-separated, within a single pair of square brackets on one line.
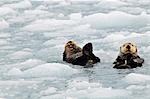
[(70, 47)]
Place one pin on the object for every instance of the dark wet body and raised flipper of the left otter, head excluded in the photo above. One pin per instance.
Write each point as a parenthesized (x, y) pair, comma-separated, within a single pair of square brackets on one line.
[(84, 57)]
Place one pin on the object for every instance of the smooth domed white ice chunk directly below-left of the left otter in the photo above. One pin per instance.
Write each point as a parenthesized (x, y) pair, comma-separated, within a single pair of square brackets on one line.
[(50, 69)]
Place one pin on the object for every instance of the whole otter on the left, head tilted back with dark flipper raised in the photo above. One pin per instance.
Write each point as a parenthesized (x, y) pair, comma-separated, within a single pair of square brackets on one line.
[(77, 56)]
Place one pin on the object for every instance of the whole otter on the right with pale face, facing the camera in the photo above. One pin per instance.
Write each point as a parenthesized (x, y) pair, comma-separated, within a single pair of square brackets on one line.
[(128, 57)]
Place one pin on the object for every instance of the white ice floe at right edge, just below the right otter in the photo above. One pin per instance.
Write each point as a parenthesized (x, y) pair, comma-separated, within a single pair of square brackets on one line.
[(134, 78)]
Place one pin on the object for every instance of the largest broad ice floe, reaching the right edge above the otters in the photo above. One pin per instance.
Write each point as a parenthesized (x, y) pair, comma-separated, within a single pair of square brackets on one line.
[(116, 19)]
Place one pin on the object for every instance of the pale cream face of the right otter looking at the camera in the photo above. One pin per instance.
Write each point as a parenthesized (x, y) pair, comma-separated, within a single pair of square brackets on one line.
[(128, 48)]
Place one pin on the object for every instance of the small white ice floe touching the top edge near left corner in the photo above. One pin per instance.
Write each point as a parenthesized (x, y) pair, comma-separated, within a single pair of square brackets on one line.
[(20, 5)]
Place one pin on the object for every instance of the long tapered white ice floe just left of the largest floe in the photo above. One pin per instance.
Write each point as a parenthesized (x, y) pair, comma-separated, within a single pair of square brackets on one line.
[(48, 25)]
